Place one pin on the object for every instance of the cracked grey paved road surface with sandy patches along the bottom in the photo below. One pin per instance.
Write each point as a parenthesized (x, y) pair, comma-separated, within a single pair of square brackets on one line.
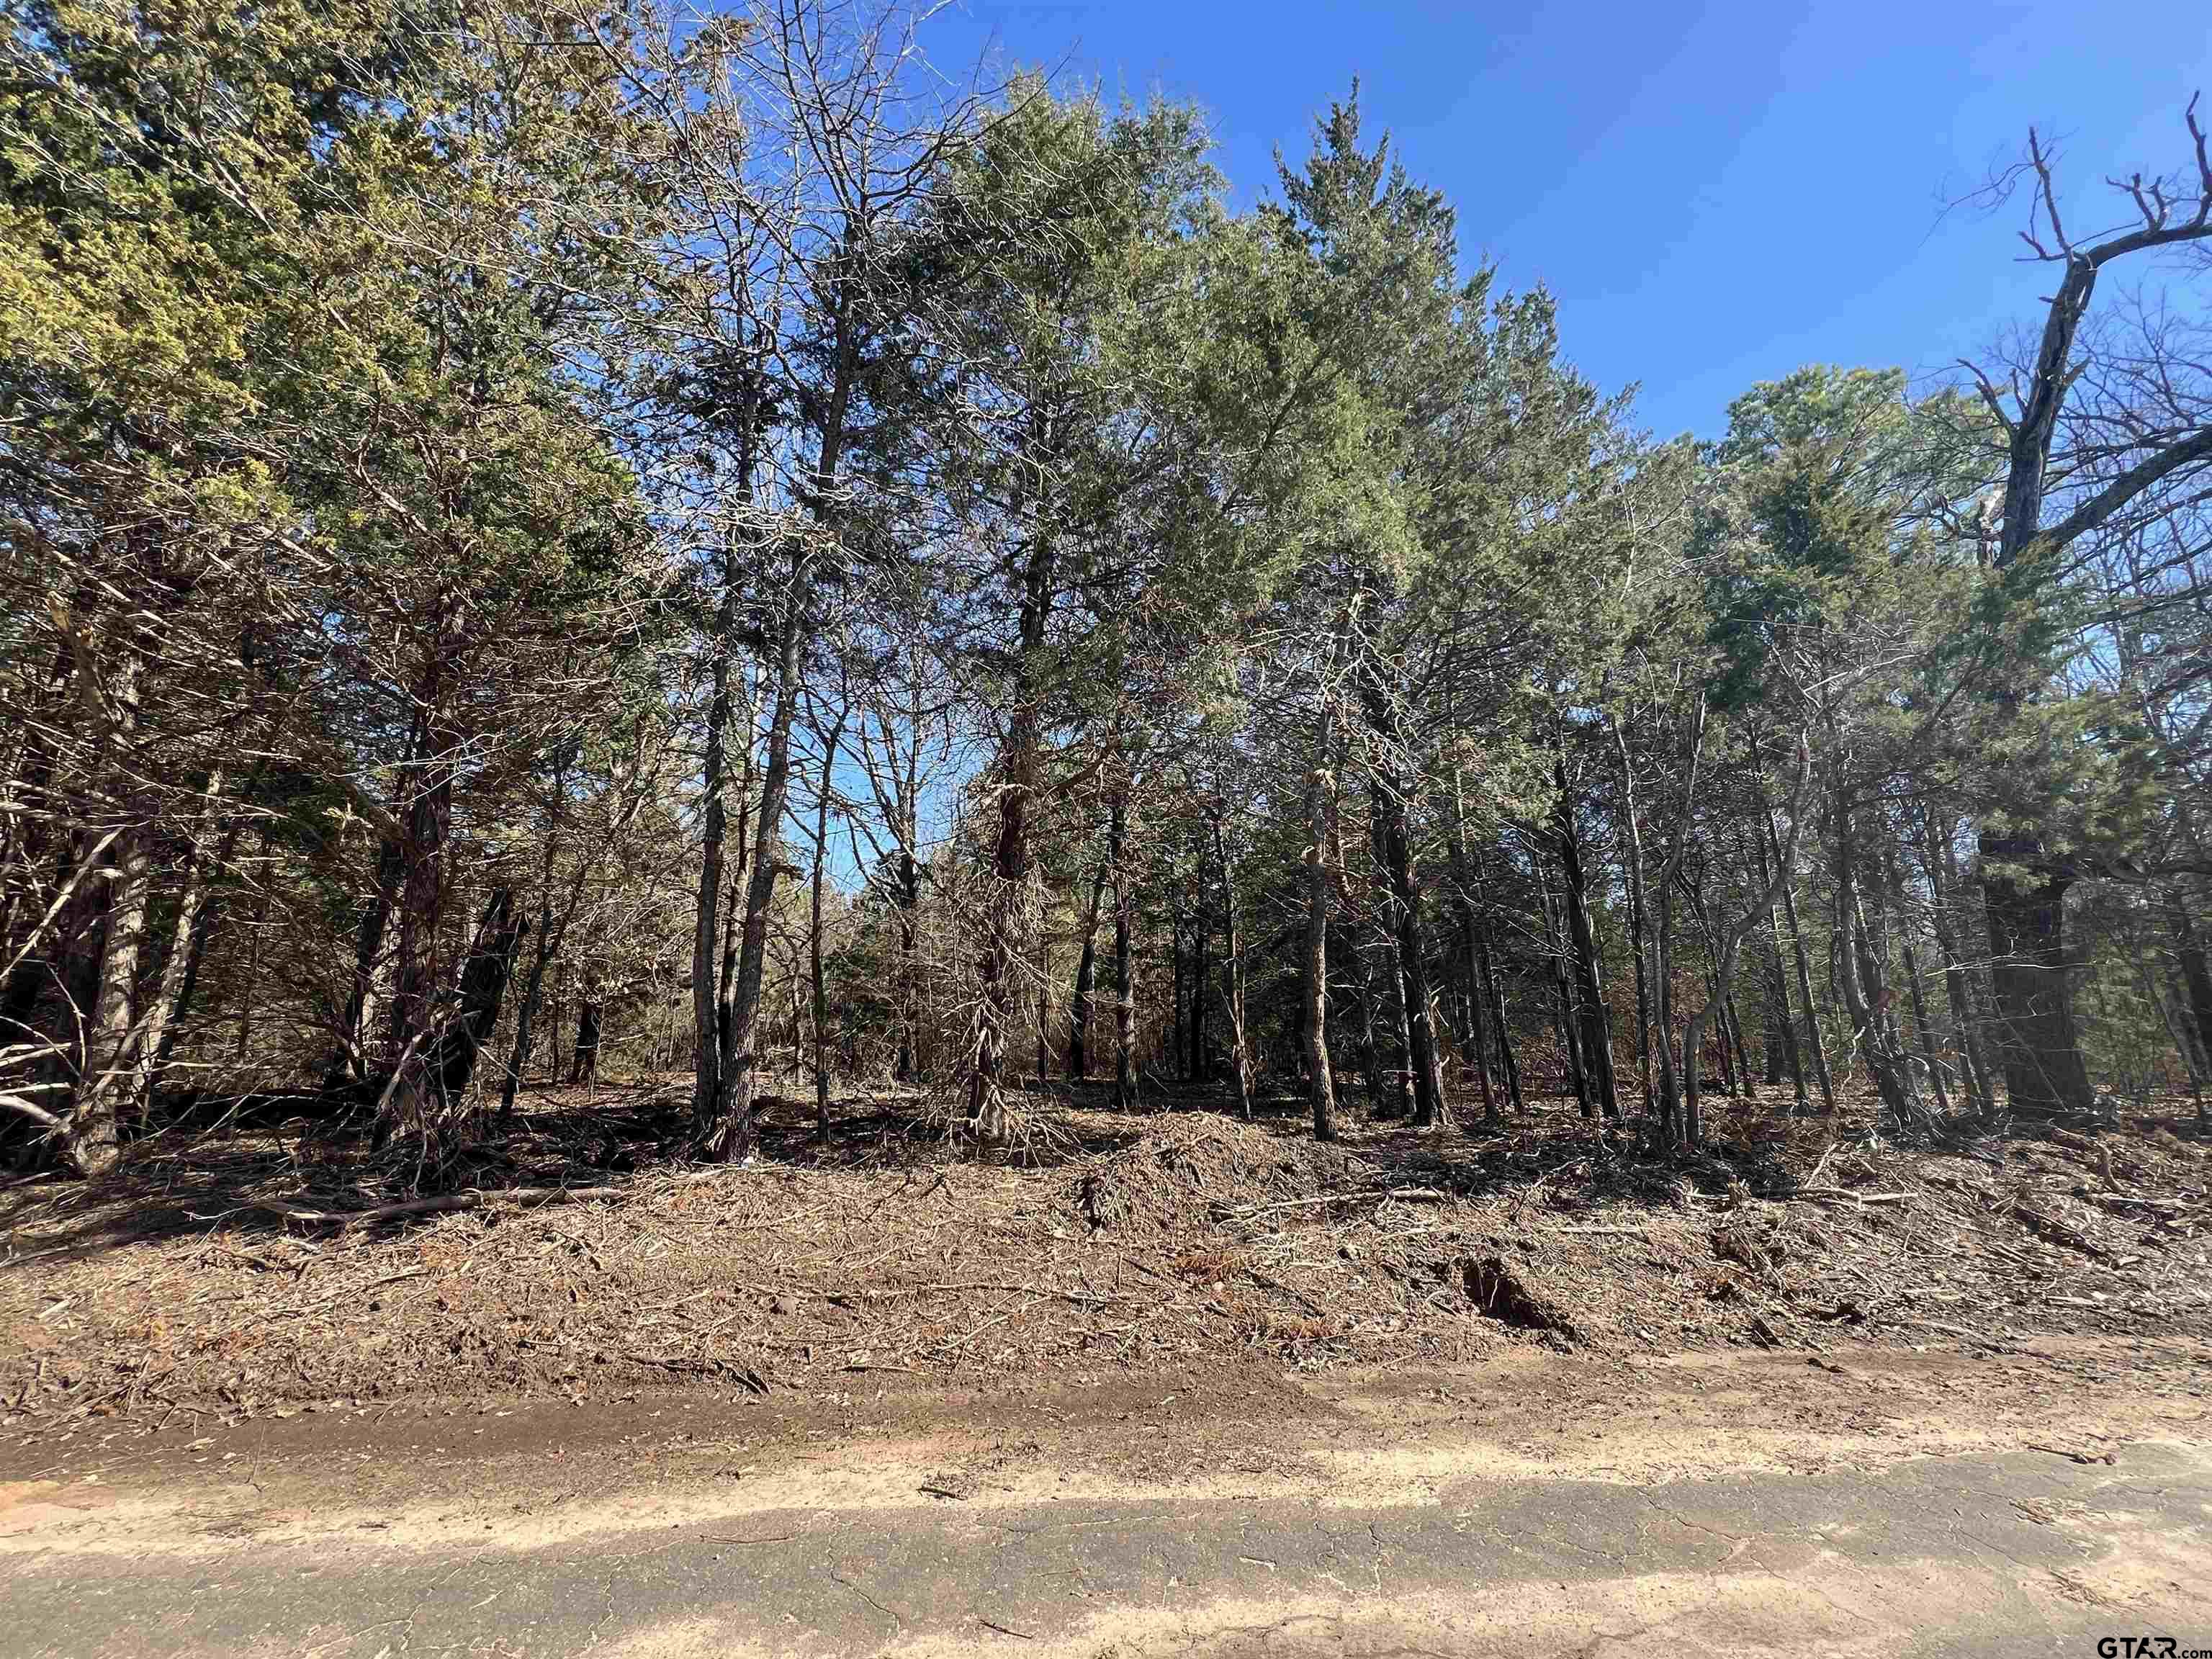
[(2014, 1554)]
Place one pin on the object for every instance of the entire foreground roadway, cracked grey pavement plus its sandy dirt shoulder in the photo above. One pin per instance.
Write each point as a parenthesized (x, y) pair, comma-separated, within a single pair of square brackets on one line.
[(1877, 1503)]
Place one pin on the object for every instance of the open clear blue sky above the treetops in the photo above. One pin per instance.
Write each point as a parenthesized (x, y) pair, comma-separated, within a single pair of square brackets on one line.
[(1715, 194)]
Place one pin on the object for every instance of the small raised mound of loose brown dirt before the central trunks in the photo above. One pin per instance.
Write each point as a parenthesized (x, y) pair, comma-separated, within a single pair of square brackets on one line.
[(1193, 1167)]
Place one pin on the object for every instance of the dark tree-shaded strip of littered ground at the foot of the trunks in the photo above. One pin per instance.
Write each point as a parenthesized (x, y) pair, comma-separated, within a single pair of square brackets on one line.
[(218, 1160)]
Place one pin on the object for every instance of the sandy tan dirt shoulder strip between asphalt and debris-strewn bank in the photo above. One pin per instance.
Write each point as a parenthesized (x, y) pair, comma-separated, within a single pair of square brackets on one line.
[(517, 1474)]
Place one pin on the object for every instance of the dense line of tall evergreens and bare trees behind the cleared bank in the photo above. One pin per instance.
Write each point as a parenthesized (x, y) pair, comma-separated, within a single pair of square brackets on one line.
[(552, 539)]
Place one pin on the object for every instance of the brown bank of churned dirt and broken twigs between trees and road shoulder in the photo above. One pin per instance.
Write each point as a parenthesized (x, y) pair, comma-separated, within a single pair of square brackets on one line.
[(1140, 1249)]
